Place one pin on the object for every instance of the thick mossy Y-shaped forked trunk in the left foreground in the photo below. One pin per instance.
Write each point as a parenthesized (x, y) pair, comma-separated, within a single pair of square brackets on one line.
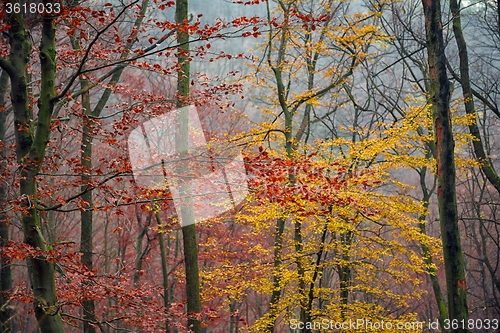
[(30, 151)]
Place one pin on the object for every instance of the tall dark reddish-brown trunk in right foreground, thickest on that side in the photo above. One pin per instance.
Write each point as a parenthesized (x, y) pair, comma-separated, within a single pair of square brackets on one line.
[(446, 191)]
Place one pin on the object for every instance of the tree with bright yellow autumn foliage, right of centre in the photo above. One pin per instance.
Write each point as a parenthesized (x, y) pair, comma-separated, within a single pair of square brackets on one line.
[(322, 246)]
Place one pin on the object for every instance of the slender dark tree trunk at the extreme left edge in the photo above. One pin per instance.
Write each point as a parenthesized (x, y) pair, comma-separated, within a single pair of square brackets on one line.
[(5, 269)]
